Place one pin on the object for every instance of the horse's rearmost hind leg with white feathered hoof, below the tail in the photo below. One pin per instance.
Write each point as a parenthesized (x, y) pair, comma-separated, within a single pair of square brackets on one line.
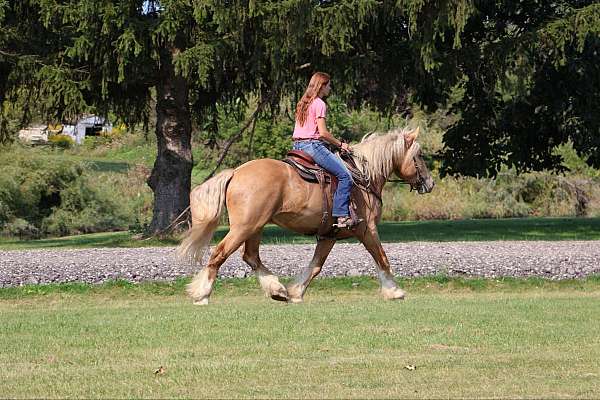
[(202, 284)]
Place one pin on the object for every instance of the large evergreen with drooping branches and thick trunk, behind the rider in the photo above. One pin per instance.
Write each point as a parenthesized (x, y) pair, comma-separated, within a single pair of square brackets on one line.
[(110, 55)]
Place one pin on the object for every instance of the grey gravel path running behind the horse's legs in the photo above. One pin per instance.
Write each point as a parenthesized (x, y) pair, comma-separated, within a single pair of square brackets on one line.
[(555, 260)]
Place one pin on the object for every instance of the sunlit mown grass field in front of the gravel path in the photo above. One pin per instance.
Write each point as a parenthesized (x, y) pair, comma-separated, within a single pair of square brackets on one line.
[(464, 338)]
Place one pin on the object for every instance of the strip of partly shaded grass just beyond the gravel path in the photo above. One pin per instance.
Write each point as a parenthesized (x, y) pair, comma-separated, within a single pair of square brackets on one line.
[(442, 231)]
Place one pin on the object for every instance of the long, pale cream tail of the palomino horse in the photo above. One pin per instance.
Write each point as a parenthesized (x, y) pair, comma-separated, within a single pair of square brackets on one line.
[(207, 202)]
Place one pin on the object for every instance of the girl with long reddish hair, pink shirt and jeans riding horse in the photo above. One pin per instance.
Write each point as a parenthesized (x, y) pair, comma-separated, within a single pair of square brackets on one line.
[(311, 136)]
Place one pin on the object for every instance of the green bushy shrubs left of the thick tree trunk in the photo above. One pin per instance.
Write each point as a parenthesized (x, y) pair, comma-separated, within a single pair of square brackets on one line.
[(41, 196)]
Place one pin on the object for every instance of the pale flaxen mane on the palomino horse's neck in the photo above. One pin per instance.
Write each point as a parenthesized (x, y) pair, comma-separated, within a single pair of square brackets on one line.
[(380, 151)]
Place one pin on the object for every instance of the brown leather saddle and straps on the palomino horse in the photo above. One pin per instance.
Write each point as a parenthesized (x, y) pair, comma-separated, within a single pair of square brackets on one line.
[(308, 170)]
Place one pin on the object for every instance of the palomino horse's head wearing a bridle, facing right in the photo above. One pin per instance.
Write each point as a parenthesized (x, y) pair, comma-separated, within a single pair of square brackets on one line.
[(412, 168)]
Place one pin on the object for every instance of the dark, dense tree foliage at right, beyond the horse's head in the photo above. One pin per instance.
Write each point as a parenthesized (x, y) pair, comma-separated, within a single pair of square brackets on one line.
[(530, 71)]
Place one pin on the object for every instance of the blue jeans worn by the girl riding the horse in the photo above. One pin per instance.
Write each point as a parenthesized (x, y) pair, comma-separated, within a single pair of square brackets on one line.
[(334, 164)]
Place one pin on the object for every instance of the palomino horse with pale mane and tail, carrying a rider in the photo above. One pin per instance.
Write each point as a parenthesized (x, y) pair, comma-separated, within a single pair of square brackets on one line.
[(263, 191)]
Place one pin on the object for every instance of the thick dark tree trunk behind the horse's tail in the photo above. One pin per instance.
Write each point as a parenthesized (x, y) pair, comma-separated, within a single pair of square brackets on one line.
[(171, 176)]
